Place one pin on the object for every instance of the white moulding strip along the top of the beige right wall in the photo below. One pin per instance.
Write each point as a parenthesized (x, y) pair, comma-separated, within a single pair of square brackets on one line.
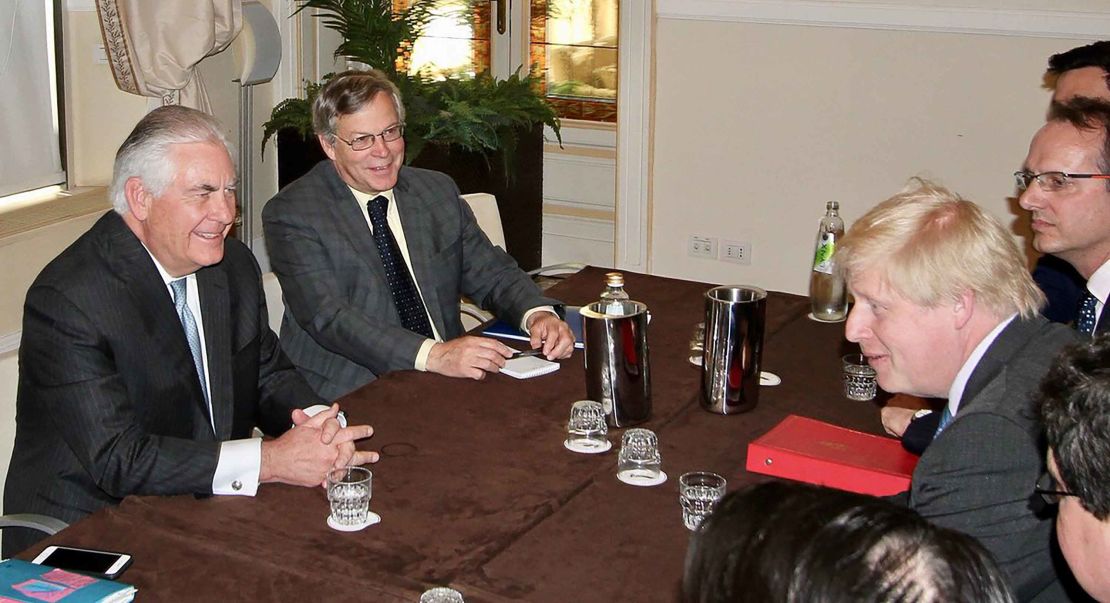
[(1042, 24)]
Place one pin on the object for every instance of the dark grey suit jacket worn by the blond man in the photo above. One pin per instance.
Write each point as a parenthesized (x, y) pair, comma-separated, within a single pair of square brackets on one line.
[(978, 476)]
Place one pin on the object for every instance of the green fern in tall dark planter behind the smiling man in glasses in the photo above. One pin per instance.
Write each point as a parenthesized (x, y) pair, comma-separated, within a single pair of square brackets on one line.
[(485, 133)]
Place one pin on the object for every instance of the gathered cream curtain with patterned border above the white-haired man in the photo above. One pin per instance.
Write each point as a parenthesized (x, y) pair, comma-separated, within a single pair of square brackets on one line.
[(154, 47)]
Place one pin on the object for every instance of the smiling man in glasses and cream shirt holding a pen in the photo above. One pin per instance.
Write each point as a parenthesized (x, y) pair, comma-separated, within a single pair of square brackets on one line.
[(372, 257)]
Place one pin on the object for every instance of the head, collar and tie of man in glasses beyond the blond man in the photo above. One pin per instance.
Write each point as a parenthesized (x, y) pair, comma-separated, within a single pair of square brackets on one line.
[(1066, 186)]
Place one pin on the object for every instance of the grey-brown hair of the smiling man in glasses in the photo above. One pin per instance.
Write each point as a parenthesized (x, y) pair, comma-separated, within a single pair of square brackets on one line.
[(348, 94)]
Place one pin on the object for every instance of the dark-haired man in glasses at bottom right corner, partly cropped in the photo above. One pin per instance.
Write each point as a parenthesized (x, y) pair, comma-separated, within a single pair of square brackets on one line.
[(1076, 411)]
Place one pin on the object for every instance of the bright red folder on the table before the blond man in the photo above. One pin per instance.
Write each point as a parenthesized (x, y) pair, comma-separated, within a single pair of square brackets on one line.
[(822, 454)]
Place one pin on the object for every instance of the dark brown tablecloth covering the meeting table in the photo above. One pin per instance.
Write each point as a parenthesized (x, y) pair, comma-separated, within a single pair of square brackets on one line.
[(476, 488)]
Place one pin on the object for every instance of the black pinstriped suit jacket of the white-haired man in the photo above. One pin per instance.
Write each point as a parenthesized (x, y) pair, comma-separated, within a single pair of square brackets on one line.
[(109, 401)]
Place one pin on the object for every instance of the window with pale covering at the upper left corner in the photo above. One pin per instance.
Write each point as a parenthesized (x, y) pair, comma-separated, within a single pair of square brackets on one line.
[(31, 120)]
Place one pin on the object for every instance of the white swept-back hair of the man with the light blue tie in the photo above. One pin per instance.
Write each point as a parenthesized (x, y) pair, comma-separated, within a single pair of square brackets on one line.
[(146, 153)]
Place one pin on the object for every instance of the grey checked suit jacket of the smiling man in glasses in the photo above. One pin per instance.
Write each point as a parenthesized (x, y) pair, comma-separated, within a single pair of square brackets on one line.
[(341, 327)]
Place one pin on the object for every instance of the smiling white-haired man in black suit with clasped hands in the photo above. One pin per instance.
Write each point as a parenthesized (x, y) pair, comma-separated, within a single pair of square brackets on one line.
[(146, 358)]
